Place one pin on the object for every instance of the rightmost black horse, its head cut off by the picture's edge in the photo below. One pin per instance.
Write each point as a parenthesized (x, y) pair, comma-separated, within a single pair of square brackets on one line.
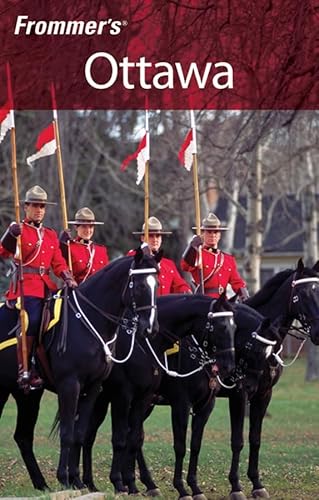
[(290, 295)]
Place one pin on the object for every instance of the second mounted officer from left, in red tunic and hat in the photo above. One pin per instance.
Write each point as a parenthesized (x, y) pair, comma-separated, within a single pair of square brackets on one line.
[(87, 257)]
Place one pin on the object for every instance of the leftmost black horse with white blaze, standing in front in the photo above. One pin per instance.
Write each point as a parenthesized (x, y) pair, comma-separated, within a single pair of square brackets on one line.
[(79, 348)]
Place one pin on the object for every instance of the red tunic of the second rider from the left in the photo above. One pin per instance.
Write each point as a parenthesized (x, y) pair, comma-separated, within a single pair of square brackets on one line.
[(87, 258)]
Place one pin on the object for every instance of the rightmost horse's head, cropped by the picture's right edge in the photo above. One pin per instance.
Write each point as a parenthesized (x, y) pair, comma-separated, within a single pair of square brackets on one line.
[(304, 300)]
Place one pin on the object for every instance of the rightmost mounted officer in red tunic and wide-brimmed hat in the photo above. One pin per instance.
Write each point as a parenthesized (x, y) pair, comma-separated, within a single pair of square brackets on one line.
[(218, 268)]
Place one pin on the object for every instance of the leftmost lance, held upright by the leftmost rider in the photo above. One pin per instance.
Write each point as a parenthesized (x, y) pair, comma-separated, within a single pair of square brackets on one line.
[(18, 255)]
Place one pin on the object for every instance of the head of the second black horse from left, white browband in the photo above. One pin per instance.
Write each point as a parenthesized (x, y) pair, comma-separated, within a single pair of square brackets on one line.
[(219, 335)]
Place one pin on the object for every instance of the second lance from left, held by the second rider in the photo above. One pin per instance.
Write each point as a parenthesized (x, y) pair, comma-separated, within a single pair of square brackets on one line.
[(60, 169)]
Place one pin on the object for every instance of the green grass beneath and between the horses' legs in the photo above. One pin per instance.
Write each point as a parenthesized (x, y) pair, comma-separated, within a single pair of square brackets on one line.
[(289, 460)]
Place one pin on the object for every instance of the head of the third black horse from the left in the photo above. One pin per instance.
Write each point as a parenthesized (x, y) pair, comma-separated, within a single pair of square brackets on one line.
[(255, 340)]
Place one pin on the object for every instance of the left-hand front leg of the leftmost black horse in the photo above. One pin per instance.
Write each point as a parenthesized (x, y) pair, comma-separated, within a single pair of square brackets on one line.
[(68, 396)]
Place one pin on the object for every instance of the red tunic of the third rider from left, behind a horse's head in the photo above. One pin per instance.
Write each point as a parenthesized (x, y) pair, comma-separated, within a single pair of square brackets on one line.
[(170, 281)]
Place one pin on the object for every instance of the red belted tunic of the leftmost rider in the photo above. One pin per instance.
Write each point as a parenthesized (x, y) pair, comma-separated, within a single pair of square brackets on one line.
[(41, 251)]
